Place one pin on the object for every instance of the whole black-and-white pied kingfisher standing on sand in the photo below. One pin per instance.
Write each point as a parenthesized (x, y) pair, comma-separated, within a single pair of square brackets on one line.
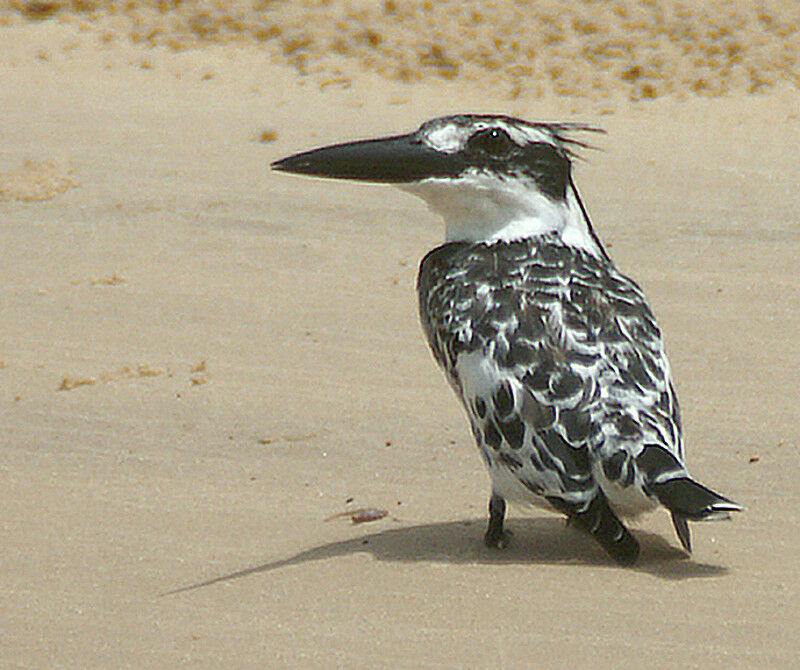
[(554, 353)]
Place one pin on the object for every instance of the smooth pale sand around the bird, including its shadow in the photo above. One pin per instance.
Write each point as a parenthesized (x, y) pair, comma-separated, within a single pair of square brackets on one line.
[(201, 361)]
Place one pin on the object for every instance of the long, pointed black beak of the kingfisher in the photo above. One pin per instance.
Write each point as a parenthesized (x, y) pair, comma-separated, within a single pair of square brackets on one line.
[(392, 160)]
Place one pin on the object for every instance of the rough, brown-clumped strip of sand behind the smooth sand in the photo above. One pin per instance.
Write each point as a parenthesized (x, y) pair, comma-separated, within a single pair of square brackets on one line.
[(572, 47)]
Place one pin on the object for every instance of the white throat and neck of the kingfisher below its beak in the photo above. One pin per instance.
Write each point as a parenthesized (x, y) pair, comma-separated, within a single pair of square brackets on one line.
[(478, 207)]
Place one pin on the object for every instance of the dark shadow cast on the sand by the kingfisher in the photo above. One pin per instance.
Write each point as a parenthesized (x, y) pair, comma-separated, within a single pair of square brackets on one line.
[(534, 541)]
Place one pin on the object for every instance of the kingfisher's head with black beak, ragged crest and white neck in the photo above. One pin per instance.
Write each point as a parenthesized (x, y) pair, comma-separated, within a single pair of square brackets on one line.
[(490, 178)]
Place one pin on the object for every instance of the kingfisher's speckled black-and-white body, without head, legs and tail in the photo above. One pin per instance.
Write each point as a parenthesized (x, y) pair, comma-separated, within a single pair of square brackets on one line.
[(561, 367)]
